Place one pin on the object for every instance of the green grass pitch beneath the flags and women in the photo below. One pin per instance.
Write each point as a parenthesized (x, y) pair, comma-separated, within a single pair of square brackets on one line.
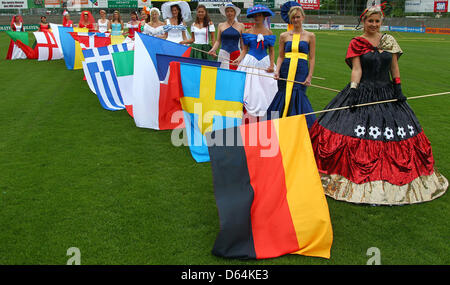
[(75, 175)]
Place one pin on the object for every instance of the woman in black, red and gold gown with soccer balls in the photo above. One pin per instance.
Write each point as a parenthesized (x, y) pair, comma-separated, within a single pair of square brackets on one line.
[(375, 154)]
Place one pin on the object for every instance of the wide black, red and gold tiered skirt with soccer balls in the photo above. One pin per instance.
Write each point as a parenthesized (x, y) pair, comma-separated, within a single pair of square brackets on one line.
[(375, 155)]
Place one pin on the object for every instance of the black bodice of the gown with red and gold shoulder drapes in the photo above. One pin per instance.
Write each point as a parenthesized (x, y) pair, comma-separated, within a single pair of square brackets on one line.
[(376, 67)]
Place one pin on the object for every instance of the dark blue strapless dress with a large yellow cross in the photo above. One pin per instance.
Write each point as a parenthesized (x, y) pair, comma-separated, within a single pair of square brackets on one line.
[(298, 103)]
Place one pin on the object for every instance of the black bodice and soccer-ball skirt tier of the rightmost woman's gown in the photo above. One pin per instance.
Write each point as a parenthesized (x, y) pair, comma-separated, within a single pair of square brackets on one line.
[(386, 122)]
